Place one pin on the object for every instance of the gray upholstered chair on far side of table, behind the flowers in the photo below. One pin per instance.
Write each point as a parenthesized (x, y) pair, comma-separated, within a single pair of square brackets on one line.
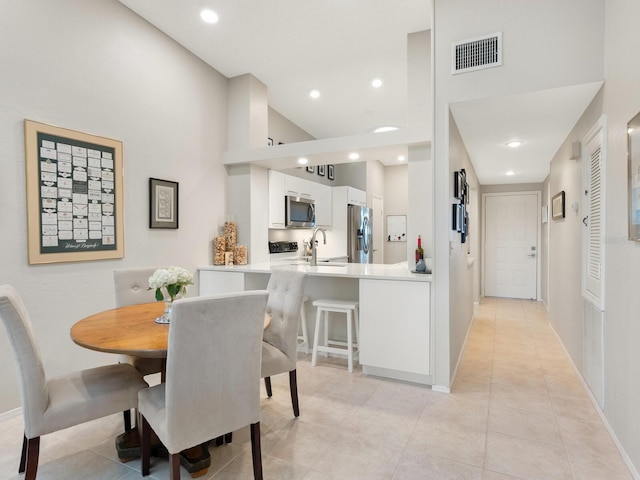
[(132, 288)]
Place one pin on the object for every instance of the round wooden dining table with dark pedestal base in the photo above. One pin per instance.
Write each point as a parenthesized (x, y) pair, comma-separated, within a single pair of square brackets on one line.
[(133, 330)]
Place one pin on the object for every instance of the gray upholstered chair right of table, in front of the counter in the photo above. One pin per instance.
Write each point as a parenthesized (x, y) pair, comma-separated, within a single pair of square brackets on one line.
[(279, 348)]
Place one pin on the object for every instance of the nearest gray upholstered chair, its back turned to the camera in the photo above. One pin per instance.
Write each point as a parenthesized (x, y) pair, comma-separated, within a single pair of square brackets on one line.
[(213, 376)]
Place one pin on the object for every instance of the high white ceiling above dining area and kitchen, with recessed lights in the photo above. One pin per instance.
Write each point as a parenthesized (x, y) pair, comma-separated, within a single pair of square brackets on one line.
[(294, 46)]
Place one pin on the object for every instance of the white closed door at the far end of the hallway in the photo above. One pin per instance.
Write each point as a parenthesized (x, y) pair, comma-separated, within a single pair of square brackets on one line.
[(511, 245)]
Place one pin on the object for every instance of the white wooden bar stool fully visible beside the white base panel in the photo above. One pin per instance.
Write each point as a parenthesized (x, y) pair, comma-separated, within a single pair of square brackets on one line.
[(348, 307)]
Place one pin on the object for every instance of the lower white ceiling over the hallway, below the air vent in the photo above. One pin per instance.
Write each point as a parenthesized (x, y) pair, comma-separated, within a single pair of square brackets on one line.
[(542, 120)]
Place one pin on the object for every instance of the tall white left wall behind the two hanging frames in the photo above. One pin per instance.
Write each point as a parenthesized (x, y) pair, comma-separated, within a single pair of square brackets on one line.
[(96, 67)]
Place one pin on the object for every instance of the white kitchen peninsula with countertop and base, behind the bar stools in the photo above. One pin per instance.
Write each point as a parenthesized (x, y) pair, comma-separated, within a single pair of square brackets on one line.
[(395, 338)]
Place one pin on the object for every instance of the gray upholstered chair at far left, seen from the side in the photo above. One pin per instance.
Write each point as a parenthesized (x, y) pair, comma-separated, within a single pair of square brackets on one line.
[(60, 402)]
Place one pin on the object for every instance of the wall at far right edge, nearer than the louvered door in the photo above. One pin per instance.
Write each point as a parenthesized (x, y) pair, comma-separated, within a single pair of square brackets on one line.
[(622, 325)]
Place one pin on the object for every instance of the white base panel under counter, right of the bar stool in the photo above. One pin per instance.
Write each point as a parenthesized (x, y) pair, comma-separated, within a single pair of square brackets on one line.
[(395, 335)]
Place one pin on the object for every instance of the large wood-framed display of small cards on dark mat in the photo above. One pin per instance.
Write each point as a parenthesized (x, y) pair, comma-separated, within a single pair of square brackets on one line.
[(75, 198)]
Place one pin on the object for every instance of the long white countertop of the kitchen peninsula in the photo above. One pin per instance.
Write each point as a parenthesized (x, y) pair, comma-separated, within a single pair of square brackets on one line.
[(397, 271)]
